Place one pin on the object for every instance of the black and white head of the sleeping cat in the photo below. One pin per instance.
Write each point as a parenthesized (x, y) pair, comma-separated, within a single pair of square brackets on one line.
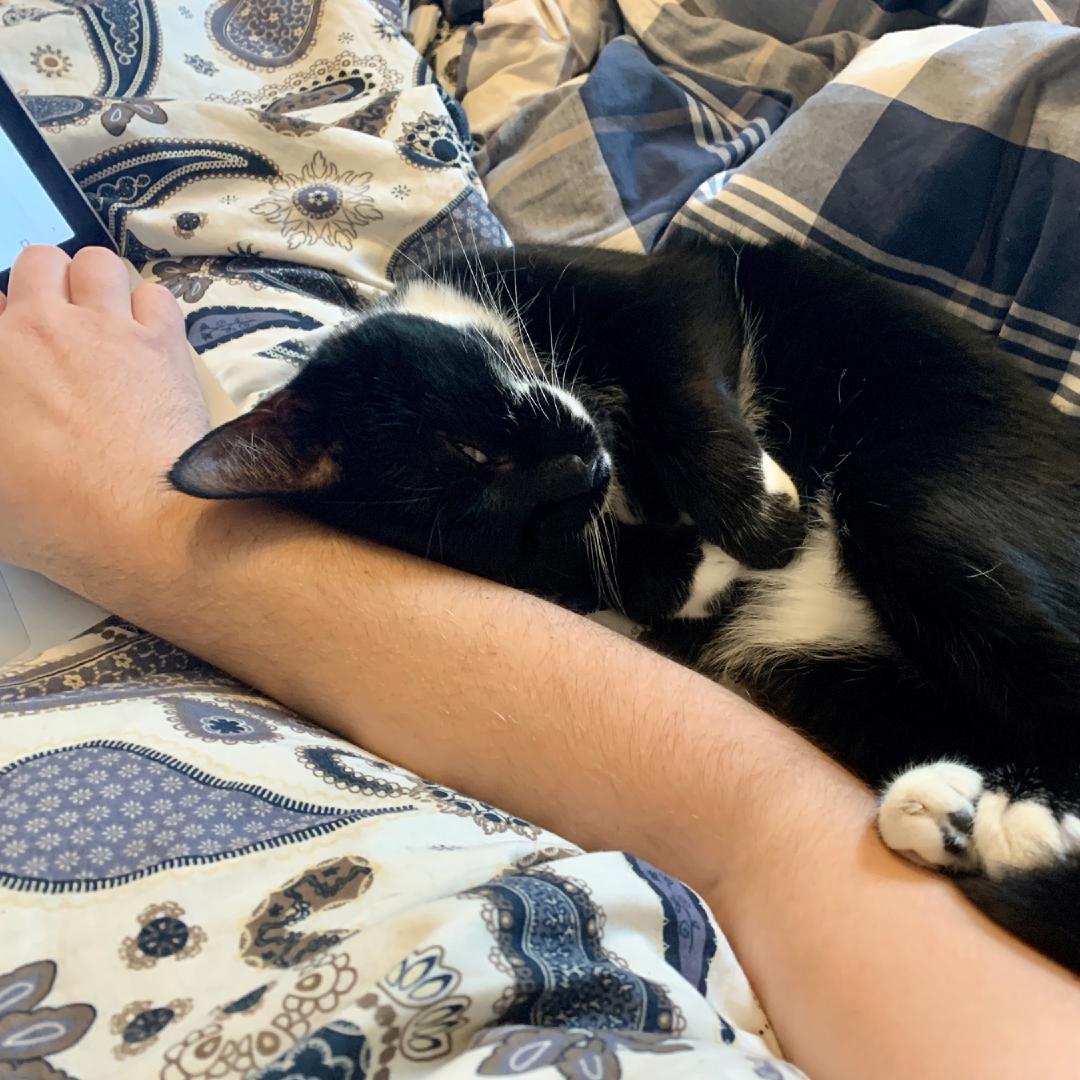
[(425, 424)]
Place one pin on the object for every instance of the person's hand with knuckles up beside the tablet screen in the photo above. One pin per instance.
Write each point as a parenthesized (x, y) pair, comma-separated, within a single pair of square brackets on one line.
[(98, 399)]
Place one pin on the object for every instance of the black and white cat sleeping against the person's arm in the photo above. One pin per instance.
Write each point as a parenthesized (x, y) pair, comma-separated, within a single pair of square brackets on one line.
[(794, 476)]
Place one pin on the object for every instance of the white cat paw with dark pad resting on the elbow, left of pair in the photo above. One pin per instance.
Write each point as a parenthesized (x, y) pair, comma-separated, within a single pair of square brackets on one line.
[(927, 815)]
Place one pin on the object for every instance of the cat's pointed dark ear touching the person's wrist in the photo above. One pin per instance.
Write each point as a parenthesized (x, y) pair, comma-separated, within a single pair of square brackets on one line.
[(274, 450)]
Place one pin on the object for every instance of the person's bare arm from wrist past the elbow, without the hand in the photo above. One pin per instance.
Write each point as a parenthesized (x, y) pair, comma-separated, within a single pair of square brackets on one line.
[(867, 966)]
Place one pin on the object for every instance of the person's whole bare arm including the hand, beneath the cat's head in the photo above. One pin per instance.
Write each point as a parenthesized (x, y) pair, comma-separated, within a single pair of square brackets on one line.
[(867, 966)]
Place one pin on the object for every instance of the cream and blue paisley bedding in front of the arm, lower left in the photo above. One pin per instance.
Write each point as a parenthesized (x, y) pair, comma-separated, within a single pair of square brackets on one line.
[(197, 884)]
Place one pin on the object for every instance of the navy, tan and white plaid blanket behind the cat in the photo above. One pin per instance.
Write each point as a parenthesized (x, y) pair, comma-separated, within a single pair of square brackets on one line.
[(936, 144)]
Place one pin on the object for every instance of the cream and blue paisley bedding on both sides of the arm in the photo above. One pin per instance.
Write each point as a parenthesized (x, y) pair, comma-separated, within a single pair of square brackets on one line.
[(194, 883)]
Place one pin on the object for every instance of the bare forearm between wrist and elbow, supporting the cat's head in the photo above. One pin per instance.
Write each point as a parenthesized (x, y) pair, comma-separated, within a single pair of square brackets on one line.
[(481, 687)]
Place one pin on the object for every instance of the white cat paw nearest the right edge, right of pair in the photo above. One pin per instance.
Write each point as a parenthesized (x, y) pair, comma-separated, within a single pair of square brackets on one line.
[(1021, 835)]
